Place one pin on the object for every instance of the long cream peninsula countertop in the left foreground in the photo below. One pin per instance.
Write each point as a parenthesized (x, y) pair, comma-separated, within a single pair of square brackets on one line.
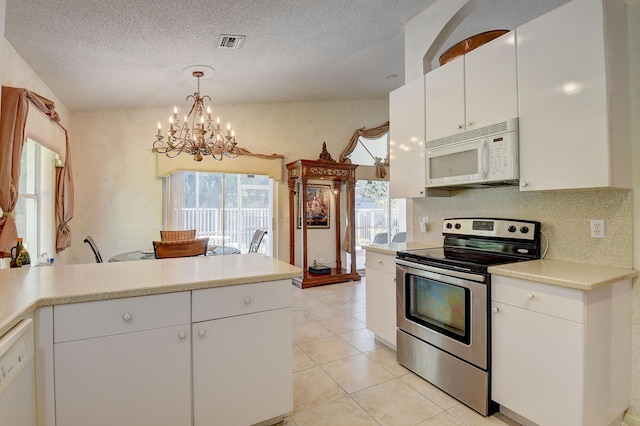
[(22, 290)]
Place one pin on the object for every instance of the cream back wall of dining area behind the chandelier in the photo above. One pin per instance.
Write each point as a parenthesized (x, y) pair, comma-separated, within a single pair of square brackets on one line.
[(119, 198)]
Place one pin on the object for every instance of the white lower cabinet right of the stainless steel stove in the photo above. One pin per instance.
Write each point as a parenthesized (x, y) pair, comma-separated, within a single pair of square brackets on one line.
[(560, 356)]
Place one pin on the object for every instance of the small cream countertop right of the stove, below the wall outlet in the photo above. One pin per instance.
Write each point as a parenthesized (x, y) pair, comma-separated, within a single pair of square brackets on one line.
[(579, 276)]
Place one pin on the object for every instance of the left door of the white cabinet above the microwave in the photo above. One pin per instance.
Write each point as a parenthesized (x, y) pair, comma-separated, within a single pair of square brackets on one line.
[(444, 100)]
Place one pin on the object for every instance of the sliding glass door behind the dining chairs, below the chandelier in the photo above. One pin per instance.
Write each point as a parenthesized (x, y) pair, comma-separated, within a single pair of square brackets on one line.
[(227, 208)]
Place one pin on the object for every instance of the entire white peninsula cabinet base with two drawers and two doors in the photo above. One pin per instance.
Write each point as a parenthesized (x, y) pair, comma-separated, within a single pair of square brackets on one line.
[(218, 356)]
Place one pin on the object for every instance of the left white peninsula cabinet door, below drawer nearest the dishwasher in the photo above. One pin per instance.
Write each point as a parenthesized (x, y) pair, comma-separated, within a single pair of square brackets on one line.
[(140, 378)]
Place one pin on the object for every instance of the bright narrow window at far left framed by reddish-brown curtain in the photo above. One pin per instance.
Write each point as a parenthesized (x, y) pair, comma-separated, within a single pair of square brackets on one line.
[(35, 209)]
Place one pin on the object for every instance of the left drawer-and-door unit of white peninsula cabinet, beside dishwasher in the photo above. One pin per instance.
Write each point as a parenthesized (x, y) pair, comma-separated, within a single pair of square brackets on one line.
[(109, 372)]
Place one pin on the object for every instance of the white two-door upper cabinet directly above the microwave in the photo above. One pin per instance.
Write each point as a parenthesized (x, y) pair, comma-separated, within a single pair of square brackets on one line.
[(473, 91)]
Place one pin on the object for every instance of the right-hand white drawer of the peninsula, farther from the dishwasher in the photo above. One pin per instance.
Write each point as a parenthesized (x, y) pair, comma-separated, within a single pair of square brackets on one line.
[(221, 302)]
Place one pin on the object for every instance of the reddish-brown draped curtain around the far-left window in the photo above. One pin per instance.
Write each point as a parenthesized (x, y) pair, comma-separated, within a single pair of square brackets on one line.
[(15, 108)]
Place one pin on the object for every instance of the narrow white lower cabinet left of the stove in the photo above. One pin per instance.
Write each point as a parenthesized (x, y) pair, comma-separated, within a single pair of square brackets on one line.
[(381, 297)]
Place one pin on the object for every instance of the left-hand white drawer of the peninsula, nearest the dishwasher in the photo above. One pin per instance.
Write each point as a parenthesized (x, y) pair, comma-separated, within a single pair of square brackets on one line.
[(109, 317)]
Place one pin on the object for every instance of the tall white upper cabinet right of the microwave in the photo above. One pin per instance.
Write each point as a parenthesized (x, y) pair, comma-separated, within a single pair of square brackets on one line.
[(573, 98)]
